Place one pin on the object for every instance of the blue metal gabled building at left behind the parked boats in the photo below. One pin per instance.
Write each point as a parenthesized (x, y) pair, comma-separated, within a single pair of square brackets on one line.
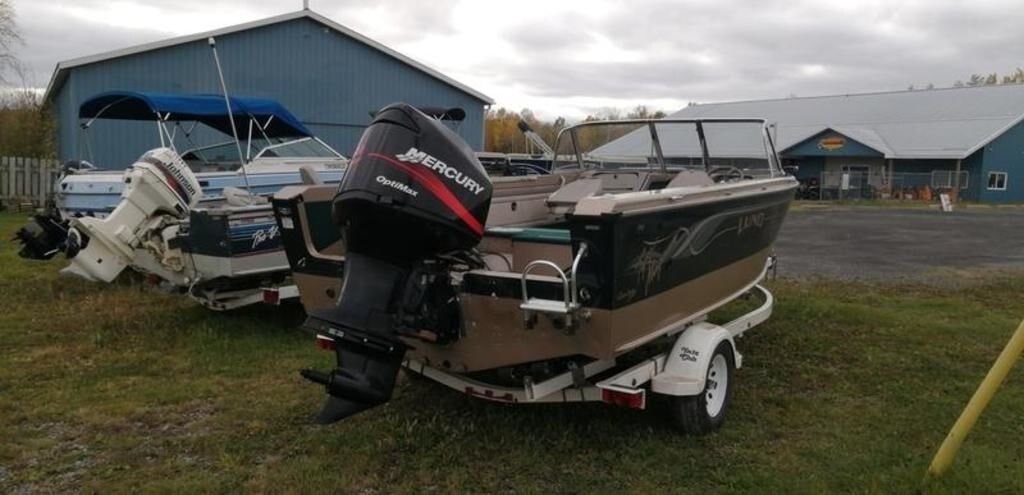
[(329, 76)]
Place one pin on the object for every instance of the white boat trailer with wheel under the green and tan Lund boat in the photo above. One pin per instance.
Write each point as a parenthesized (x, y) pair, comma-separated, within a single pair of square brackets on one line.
[(697, 373)]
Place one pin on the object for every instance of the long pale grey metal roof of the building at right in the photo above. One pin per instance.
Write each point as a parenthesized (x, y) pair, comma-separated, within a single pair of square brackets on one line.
[(951, 123)]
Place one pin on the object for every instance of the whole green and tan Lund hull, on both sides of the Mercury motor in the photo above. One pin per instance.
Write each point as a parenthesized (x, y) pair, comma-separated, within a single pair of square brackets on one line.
[(652, 267)]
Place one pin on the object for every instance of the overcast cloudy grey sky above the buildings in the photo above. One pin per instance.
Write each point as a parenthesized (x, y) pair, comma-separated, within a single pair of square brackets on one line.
[(572, 58)]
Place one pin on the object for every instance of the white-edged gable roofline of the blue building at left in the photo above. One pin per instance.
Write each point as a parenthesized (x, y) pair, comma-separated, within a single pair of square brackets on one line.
[(61, 72)]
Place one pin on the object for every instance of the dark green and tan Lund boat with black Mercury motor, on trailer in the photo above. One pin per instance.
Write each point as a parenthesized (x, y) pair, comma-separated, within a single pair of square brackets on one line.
[(527, 288)]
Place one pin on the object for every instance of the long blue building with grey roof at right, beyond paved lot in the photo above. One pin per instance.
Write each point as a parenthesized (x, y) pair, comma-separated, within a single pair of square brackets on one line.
[(899, 144)]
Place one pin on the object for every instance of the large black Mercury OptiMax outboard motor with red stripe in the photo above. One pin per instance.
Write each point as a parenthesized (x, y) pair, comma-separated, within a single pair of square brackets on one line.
[(411, 208)]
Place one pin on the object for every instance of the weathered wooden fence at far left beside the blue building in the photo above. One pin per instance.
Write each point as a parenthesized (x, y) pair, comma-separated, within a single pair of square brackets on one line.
[(28, 183)]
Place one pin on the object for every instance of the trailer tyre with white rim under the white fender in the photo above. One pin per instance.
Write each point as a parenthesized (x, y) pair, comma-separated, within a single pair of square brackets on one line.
[(706, 412)]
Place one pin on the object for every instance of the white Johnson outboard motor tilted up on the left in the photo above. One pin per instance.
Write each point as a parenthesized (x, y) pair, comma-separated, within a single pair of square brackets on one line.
[(159, 184)]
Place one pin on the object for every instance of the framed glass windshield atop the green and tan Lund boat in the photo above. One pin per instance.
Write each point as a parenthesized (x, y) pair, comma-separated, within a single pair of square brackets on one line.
[(743, 146)]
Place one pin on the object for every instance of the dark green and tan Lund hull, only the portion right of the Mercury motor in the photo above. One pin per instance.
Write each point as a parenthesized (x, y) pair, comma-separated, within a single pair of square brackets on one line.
[(647, 273)]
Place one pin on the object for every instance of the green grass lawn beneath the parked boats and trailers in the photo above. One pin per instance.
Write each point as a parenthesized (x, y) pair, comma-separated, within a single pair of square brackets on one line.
[(848, 389)]
